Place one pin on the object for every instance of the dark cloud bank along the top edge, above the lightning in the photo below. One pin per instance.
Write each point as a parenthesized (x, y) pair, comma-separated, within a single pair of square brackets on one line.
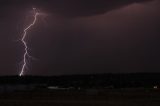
[(73, 8)]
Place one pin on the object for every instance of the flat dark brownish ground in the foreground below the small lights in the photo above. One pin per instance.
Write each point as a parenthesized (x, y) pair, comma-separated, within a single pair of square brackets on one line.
[(92, 97)]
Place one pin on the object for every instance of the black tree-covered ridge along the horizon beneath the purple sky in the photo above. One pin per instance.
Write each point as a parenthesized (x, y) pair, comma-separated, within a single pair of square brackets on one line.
[(89, 81)]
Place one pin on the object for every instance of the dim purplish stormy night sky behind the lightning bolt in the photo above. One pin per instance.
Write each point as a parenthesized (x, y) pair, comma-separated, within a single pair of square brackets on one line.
[(81, 36)]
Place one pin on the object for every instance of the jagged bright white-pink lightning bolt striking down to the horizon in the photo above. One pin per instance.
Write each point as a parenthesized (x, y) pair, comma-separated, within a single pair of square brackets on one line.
[(26, 54)]
